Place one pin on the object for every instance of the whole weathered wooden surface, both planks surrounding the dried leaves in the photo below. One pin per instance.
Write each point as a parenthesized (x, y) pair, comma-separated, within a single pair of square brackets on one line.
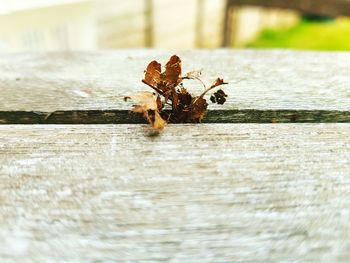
[(272, 192)]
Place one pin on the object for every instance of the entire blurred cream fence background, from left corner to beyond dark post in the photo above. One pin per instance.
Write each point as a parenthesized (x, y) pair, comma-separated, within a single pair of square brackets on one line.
[(92, 24)]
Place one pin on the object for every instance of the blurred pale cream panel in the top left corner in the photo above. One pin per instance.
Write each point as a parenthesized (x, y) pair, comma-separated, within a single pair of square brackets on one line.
[(46, 25)]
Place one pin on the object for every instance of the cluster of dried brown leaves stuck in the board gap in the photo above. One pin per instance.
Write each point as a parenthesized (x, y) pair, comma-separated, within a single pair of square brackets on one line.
[(169, 90)]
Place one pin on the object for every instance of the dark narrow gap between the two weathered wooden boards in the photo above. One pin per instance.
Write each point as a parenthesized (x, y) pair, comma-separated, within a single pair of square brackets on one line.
[(212, 116)]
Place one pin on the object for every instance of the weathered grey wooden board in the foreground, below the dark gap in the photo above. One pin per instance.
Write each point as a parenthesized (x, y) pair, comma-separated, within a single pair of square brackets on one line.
[(194, 193)]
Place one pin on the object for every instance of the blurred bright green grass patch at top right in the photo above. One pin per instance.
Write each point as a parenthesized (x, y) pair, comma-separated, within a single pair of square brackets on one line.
[(329, 35)]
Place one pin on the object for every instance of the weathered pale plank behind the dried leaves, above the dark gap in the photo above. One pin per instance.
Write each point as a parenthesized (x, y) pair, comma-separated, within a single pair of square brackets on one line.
[(263, 81)]
